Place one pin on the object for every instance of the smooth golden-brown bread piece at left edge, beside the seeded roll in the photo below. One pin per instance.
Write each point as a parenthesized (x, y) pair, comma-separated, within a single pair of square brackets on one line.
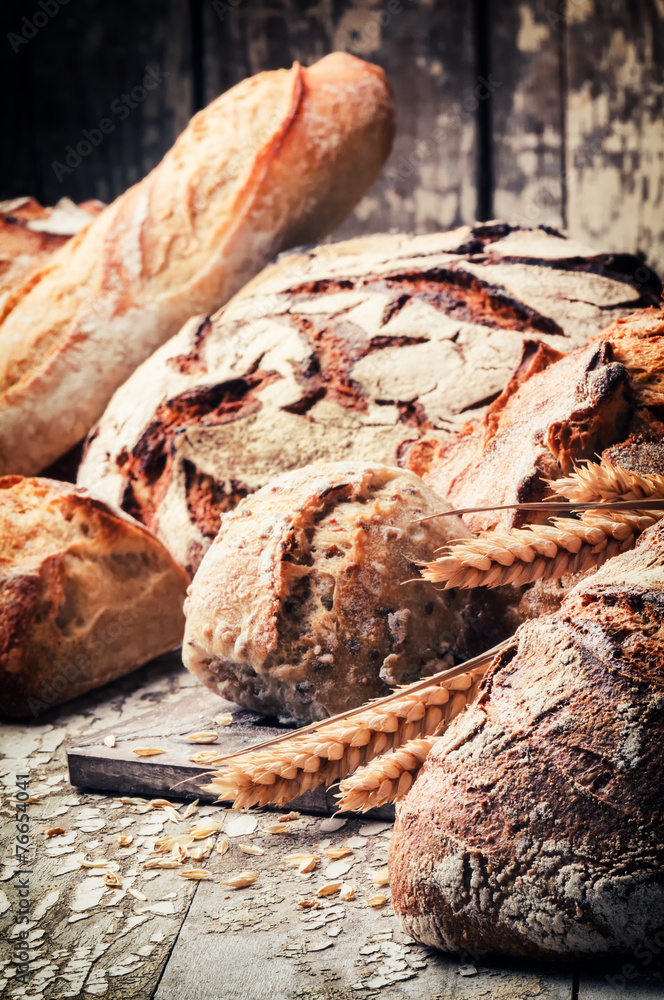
[(86, 594)]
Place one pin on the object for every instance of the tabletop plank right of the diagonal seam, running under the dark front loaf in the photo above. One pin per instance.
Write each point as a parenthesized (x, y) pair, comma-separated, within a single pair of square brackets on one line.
[(257, 944)]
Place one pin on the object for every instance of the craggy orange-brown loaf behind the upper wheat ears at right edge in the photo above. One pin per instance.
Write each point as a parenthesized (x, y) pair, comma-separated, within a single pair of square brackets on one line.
[(554, 411)]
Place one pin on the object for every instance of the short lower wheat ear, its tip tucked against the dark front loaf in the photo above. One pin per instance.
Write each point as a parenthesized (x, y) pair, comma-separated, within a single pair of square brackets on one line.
[(385, 779)]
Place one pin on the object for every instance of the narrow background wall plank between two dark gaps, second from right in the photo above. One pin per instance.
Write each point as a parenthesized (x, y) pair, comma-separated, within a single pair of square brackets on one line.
[(527, 112)]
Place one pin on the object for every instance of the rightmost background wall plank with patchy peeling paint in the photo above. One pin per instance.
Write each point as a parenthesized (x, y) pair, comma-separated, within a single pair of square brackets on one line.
[(615, 125)]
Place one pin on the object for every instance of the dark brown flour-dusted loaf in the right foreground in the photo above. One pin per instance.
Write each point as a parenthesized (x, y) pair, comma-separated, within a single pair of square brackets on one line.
[(536, 826)]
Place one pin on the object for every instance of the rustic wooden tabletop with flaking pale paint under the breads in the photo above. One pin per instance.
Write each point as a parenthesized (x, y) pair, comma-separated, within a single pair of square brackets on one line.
[(163, 936)]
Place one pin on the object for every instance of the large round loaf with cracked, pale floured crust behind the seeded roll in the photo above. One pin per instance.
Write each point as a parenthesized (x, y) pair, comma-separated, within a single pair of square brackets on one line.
[(342, 352)]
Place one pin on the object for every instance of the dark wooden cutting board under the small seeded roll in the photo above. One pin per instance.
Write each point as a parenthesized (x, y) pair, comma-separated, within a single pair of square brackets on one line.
[(97, 767)]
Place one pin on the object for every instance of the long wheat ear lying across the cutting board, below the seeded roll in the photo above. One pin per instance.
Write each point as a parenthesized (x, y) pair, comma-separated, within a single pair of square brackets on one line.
[(320, 754)]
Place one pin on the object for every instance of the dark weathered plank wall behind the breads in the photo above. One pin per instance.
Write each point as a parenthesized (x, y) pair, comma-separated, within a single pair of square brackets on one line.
[(547, 111)]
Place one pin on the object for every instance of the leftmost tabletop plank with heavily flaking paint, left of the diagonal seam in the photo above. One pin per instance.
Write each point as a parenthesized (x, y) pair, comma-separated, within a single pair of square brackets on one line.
[(85, 939)]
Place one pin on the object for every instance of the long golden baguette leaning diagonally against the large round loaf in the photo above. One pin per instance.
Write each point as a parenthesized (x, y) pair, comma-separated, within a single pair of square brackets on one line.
[(278, 160)]
